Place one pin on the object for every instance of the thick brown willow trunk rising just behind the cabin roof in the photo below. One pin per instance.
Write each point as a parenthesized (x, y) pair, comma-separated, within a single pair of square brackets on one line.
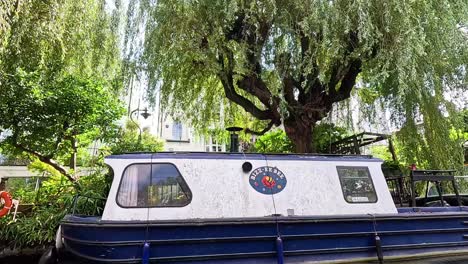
[(300, 133)]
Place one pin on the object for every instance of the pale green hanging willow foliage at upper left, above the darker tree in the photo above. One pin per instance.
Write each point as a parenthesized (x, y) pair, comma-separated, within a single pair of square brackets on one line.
[(53, 37)]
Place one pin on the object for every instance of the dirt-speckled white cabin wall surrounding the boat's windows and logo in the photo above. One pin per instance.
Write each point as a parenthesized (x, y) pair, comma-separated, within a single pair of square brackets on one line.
[(220, 189)]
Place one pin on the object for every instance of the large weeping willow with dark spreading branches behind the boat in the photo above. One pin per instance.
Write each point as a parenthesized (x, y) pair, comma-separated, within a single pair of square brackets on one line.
[(288, 62)]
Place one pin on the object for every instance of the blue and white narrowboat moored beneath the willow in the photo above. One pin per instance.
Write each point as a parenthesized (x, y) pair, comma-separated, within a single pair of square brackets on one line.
[(257, 208)]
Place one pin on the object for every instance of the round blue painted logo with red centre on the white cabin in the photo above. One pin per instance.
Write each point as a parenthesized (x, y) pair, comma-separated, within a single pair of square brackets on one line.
[(267, 180)]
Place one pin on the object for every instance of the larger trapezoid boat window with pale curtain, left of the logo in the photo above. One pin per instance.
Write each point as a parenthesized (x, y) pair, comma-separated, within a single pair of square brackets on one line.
[(153, 185)]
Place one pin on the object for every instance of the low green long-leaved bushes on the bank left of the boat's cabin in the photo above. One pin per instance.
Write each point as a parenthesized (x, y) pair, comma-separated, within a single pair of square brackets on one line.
[(54, 200)]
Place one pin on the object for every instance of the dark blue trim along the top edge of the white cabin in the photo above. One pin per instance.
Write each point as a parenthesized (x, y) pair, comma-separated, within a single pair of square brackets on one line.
[(244, 156)]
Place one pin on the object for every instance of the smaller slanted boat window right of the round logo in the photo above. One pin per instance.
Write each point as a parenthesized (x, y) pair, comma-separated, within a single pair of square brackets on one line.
[(357, 185)]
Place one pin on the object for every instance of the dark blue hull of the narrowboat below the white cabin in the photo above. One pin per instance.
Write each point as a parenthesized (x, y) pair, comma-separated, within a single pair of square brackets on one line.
[(254, 240)]
